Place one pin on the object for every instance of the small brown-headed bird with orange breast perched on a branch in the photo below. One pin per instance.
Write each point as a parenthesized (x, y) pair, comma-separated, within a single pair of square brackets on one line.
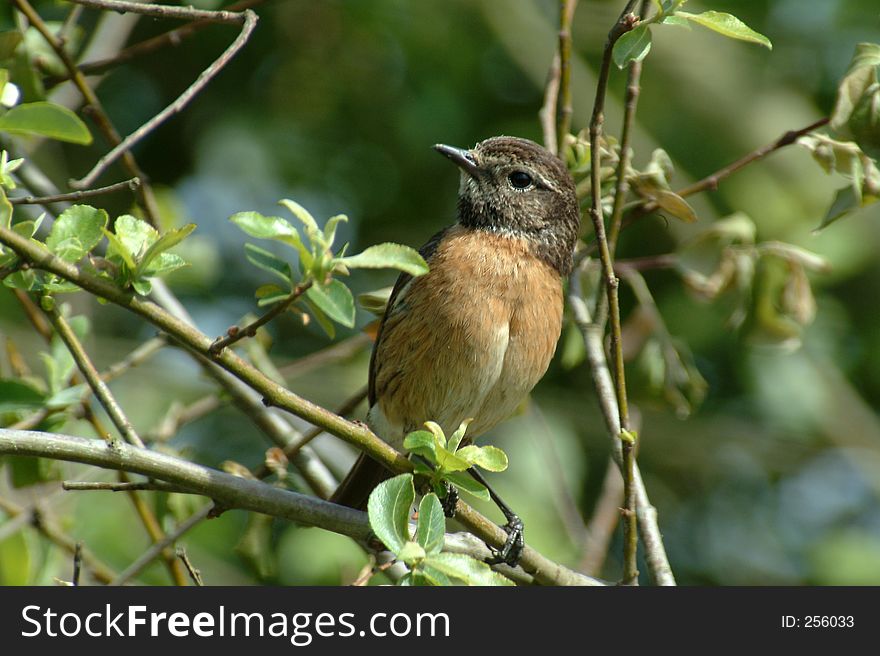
[(472, 337)]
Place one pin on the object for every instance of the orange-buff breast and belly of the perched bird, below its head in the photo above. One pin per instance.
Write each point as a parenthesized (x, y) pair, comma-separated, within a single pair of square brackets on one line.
[(469, 339)]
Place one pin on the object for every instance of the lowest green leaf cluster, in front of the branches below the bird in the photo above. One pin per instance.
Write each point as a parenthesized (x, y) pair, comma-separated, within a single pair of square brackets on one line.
[(389, 509)]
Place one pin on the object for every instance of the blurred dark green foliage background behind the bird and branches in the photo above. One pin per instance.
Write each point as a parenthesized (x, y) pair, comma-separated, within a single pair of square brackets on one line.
[(774, 479)]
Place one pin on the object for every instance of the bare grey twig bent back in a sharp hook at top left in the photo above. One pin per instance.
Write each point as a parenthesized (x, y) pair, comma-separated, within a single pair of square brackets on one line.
[(249, 21)]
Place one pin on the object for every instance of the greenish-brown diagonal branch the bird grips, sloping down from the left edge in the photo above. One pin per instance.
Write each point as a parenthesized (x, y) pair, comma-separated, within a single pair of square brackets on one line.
[(356, 434)]
